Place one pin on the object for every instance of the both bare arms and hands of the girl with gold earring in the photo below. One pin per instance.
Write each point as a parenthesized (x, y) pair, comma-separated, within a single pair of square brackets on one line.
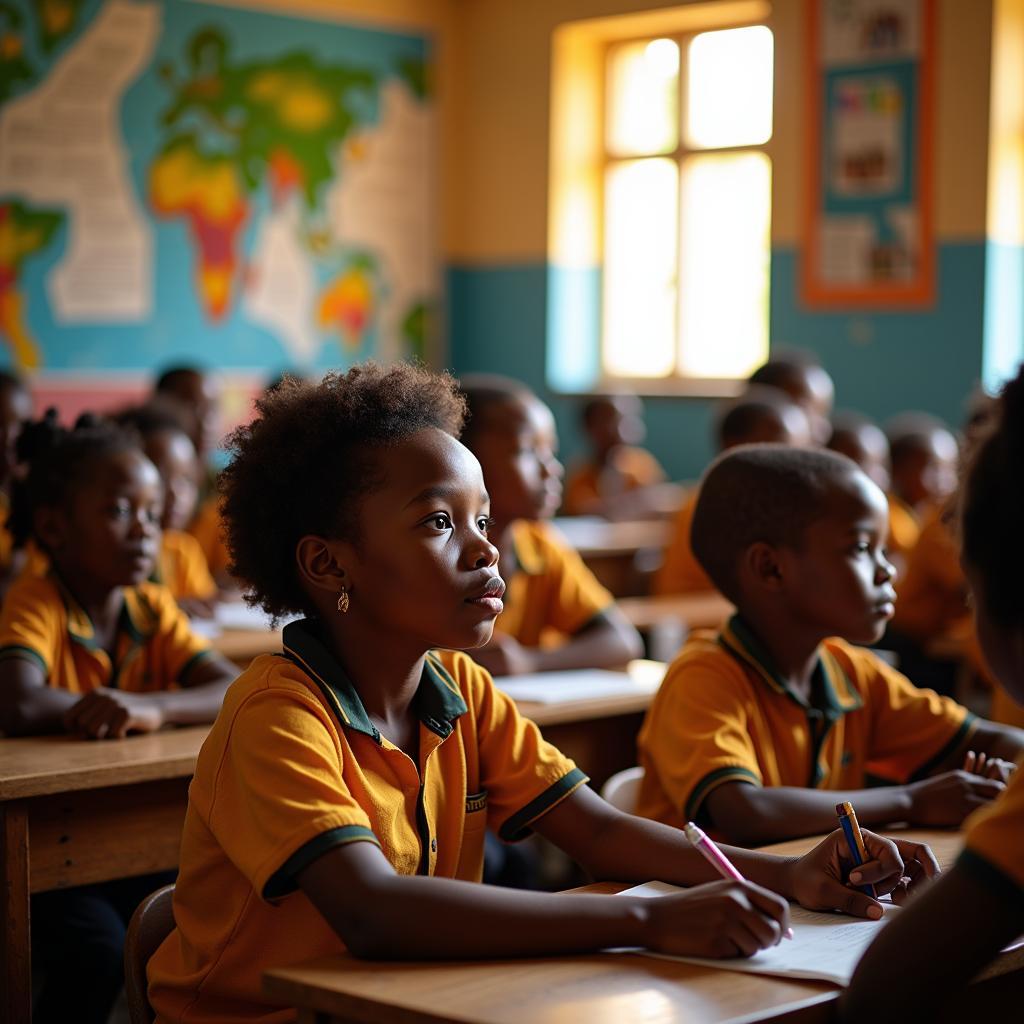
[(382, 915)]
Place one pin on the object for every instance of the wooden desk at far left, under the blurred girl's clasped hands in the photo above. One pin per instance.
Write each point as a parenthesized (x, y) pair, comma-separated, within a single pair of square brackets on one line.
[(74, 813)]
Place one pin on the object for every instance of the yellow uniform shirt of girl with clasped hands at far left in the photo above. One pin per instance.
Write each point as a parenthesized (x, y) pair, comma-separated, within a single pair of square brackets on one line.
[(154, 647)]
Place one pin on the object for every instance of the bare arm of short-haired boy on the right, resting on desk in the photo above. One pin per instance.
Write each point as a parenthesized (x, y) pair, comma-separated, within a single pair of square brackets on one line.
[(753, 816)]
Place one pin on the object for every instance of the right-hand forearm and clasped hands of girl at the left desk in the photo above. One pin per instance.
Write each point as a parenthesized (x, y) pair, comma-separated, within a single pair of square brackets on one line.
[(110, 714)]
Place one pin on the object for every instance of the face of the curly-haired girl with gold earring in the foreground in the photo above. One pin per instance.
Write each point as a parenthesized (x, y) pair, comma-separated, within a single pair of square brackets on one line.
[(424, 570)]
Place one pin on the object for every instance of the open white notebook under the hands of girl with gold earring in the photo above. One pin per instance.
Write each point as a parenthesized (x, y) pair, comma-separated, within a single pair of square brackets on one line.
[(825, 947)]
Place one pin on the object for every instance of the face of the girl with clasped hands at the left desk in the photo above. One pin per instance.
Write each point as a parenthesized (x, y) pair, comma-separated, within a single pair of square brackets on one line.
[(109, 534)]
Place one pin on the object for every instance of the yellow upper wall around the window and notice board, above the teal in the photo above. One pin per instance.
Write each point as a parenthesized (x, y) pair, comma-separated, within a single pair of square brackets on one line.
[(502, 78)]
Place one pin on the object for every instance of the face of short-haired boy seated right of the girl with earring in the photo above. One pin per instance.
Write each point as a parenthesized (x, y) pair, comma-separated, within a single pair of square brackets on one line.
[(839, 582)]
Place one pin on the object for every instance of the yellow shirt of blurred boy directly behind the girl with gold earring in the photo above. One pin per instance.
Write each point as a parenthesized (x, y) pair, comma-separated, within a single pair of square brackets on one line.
[(552, 594)]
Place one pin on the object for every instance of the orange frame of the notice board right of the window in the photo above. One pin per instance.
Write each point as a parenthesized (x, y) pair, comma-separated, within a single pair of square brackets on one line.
[(919, 290)]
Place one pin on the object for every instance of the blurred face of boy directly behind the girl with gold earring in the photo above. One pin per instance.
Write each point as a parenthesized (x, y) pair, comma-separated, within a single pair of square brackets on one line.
[(517, 447)]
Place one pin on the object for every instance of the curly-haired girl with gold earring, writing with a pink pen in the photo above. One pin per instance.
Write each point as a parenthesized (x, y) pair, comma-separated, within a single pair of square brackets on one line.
[(343, 796)]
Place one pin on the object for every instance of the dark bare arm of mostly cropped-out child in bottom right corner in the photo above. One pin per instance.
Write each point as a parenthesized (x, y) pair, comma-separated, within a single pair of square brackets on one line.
[(931, 951)]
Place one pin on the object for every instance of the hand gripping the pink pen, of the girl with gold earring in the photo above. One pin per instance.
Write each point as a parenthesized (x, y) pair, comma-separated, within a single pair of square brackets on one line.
[(721, 919)]
